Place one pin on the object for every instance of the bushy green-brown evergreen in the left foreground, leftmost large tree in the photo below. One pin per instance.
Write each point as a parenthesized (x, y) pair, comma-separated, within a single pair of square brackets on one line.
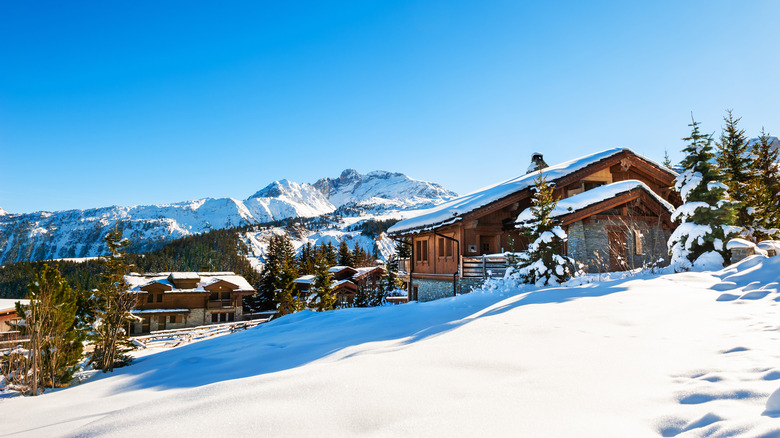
[(54, 323)]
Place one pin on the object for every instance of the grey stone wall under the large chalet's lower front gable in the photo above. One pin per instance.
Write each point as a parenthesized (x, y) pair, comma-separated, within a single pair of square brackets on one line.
[(588, 243)]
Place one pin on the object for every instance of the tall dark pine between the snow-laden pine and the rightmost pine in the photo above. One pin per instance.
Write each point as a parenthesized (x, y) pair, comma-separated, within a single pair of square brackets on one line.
[(734, 164)]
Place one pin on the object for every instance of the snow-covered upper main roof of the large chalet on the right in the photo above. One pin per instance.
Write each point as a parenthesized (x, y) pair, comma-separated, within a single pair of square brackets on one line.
[(453, 211)]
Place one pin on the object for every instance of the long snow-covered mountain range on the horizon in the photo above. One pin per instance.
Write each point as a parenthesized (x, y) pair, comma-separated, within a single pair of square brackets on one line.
[(79, 233)]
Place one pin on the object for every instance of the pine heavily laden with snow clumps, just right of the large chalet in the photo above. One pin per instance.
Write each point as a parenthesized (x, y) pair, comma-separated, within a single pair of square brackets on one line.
[(707, 215)]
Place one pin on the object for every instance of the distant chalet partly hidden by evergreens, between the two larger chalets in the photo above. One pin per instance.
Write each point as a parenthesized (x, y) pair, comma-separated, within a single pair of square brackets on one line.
[(346, 281)]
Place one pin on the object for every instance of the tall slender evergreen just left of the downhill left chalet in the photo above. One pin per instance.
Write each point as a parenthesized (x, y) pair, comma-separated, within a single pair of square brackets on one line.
[(113, 307)]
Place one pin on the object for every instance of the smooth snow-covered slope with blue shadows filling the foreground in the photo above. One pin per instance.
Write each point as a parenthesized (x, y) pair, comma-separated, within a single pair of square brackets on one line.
[(689, 354)]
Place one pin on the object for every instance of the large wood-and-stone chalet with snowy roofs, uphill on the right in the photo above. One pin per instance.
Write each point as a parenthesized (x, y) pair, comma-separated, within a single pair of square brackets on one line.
[(614, 205)]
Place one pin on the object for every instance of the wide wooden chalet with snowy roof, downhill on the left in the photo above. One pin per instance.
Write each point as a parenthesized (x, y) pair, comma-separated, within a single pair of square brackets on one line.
[(172, 300)]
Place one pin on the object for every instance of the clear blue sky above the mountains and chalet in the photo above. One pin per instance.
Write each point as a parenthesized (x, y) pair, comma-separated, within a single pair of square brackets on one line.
[(152, 102)]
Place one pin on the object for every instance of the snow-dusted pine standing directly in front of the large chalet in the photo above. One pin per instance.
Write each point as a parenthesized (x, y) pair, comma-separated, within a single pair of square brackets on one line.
[(543, 263)]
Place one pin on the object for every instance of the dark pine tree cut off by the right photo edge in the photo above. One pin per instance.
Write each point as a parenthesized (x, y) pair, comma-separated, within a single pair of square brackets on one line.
[(764, 185)]
